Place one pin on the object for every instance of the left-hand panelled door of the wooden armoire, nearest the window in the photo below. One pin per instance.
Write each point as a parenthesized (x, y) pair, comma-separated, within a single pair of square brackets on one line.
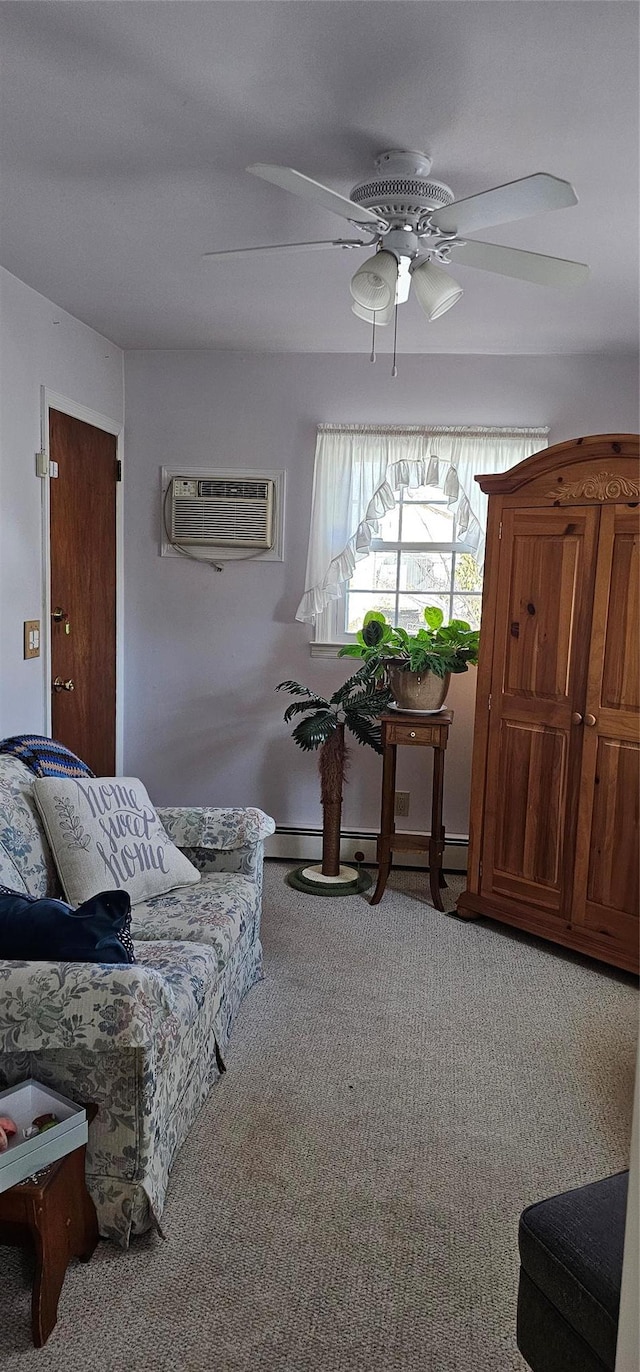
[(543, 617)]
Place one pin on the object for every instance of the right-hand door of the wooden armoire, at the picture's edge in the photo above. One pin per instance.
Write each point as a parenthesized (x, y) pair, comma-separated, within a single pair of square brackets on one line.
[(608, 860)]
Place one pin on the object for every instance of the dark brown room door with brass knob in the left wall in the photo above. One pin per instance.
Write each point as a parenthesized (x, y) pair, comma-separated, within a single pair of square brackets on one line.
[(83, 588)]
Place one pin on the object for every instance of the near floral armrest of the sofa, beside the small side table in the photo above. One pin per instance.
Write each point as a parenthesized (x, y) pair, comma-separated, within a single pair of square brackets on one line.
[(79, 1005)]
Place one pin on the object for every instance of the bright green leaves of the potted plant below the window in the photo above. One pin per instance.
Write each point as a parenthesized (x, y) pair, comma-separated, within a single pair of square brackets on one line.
[(437, 648)]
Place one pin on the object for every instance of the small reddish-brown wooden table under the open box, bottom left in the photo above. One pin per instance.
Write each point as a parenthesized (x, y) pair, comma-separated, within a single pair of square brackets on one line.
[(56, 1207)]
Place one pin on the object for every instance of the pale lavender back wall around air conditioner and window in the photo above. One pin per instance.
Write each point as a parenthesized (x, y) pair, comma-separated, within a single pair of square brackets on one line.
[(204, 651)]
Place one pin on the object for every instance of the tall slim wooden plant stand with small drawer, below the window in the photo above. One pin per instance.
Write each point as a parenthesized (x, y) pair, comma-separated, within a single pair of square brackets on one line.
[(417, 732)]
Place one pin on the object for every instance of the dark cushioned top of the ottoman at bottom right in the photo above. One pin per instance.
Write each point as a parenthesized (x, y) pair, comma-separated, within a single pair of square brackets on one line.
[(572, 1251)]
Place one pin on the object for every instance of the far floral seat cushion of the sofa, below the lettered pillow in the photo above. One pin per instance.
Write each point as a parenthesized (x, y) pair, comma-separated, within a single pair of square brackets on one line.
[(216, 913)]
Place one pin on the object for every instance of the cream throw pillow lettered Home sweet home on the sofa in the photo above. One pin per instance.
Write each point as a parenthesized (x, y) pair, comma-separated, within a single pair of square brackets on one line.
[(105, 831)]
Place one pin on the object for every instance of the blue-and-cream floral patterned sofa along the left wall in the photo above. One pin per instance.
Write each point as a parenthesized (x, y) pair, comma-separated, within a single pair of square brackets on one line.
[(142, 1041)]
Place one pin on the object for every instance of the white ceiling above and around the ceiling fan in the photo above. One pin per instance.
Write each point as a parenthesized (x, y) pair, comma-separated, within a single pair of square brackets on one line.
[(127, 128)]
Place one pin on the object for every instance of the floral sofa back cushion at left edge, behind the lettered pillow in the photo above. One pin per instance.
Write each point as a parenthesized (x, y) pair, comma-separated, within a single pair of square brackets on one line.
[(25, 858)]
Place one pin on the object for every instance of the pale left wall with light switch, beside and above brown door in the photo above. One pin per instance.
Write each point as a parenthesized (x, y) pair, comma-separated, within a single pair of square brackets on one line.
[(41, 345)]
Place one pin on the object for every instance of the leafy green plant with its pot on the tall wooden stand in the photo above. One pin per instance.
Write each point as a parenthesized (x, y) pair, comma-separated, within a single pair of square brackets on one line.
[(418, 667)]
